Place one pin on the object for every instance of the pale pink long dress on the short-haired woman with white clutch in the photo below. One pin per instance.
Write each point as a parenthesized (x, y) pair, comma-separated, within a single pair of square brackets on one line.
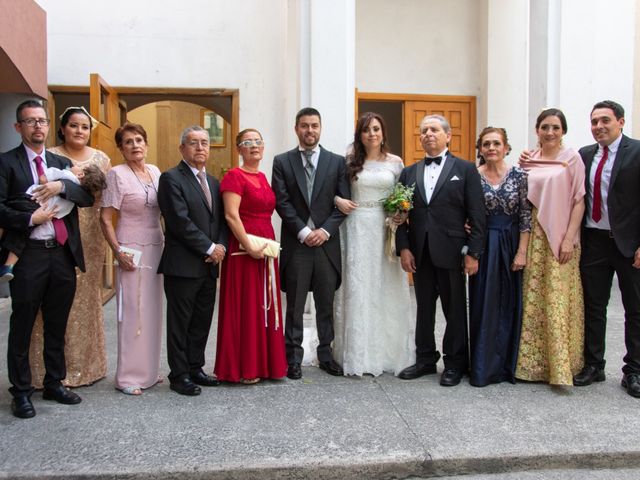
[(139, 293)]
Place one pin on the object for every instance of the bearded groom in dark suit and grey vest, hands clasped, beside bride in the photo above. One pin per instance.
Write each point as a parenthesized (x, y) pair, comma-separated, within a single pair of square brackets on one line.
[(305, 181)]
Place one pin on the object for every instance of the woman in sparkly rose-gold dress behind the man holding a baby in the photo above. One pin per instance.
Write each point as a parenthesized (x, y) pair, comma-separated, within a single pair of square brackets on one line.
[(85, 352)]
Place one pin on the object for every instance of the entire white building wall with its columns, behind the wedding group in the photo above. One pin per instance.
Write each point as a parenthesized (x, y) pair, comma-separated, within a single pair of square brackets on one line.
[(461, 47)]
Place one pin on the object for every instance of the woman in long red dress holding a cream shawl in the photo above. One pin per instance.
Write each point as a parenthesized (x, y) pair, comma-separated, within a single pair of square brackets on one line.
[(250, 324)]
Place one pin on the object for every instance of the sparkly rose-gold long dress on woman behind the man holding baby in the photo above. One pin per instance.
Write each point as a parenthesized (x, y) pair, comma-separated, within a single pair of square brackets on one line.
[(85, 353)]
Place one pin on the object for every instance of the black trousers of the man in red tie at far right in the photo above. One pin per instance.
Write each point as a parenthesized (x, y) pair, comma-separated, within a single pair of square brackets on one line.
[(600, 259)]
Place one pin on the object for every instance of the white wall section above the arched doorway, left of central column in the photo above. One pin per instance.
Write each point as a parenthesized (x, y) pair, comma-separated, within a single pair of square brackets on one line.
[(193, 44)]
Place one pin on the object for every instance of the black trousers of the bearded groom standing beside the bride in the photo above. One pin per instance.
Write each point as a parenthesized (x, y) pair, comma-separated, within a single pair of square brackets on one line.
[(309, 270)]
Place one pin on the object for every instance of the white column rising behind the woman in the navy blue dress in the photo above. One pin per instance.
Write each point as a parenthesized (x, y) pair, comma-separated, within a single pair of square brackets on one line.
[(507, 70)]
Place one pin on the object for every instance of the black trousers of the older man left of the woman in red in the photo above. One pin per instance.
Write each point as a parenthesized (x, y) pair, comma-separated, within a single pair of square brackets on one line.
[(190, 304)]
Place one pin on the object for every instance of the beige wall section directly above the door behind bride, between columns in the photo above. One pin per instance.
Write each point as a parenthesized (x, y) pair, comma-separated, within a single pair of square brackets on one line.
[(418, 46)]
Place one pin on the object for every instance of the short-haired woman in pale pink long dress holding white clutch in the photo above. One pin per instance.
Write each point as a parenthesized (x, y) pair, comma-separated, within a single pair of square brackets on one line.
[(136, 242)]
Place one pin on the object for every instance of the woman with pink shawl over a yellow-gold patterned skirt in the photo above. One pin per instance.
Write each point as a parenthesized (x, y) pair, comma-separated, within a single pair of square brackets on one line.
[(551, 342)]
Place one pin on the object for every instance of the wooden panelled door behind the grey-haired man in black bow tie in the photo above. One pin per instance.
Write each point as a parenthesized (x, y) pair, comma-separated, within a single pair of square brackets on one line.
[(459, 113)]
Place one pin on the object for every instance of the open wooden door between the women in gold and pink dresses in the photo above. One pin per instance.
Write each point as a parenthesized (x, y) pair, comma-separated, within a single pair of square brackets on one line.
[(105, 106)]
